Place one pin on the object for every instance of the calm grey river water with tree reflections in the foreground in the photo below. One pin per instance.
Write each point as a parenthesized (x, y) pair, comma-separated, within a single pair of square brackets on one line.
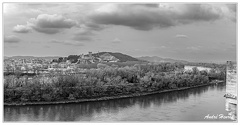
[(197, 104)]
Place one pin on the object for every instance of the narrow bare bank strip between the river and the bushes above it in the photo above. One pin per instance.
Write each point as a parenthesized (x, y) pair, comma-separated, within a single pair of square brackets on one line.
[(103, 98)]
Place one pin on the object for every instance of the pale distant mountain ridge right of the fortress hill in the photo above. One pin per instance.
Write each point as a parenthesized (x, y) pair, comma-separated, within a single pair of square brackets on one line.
[(159, 59)]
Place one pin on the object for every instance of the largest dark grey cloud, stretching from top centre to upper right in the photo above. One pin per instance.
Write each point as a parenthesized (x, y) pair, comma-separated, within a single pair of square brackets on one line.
[(142, 17)]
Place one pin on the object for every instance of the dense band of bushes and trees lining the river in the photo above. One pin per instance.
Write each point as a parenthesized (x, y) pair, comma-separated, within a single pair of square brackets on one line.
[(104, 82)]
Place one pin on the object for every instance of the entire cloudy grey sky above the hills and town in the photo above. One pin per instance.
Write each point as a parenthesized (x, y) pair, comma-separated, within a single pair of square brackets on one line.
[(194, 32)]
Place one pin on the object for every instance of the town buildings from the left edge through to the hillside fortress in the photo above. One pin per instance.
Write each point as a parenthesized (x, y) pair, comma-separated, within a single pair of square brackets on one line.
[(45, 65)]
